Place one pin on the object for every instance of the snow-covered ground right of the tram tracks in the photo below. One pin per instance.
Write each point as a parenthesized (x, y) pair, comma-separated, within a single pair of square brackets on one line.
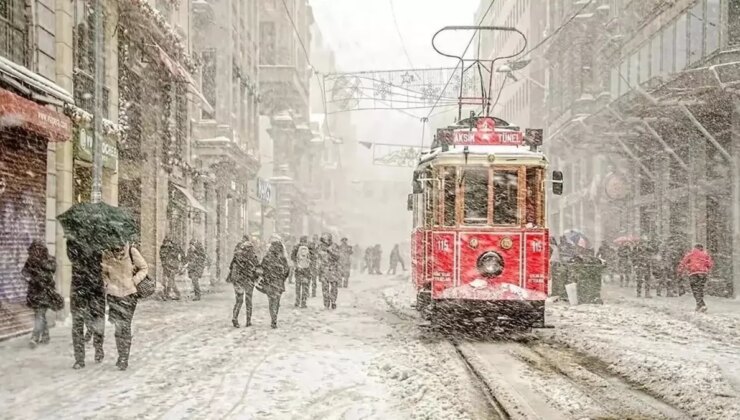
[(688, 359)]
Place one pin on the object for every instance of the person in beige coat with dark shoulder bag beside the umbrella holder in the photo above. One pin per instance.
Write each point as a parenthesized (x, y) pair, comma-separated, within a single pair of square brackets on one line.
[(123, 270)]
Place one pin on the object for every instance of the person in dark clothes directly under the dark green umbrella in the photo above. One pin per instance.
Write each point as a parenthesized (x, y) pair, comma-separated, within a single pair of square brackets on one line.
[(87, 299)]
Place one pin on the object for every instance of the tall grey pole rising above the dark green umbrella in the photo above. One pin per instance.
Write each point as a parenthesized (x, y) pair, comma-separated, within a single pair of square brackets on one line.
[(97, 146)]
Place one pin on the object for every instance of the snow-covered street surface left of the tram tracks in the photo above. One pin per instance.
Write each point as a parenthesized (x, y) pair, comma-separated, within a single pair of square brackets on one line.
[(360, 361)]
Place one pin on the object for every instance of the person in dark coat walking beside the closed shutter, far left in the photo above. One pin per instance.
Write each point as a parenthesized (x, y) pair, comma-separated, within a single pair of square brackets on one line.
[(39, 273)]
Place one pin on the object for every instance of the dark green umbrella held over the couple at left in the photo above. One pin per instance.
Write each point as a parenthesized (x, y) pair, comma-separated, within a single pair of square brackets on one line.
[(99, 225)]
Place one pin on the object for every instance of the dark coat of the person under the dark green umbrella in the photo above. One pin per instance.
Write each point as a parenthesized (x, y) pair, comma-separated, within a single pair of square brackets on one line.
[(87, 275)]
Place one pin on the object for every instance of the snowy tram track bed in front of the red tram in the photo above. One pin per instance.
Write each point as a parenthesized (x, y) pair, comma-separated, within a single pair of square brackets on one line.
[(531, 377)]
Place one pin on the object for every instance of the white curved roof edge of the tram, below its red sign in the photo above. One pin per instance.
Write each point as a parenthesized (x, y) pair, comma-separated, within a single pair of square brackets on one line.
[(487, 155)]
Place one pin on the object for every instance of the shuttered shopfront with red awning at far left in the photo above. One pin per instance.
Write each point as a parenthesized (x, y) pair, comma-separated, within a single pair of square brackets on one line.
[(26, 129)]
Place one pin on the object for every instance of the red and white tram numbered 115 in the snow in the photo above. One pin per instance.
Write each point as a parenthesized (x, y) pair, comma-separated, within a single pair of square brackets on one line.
[(480, 243)]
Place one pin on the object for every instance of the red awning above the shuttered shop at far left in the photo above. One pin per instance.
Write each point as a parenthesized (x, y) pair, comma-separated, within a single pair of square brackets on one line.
[(16, 111)]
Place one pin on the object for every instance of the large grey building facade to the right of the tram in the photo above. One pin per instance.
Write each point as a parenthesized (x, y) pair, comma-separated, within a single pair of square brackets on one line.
[(643, 117)]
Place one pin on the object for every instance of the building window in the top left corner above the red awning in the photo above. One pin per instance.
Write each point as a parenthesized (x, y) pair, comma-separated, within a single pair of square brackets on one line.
[(13, 31)]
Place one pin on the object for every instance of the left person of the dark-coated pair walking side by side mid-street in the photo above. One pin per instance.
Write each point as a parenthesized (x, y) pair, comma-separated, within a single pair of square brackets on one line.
[(243, 274)]
